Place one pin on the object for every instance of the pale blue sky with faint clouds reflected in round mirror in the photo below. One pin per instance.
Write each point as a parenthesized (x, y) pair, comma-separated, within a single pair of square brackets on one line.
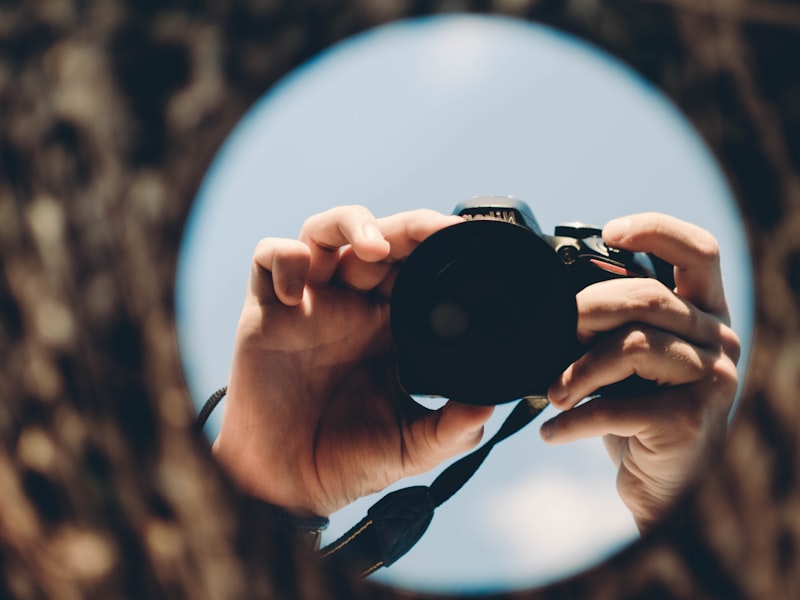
[(426, 114)]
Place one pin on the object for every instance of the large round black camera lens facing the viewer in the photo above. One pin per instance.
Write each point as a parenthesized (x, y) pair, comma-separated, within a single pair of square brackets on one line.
[(481, 313)]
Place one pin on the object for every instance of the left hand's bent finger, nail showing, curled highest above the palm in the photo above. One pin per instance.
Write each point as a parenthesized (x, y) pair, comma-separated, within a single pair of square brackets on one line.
[(327, 232)]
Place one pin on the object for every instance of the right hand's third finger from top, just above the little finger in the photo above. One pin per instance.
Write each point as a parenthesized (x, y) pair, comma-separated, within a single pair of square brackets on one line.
[(651, 353)]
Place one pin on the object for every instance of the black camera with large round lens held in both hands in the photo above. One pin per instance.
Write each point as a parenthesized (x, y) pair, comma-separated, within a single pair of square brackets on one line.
[(484, 312)]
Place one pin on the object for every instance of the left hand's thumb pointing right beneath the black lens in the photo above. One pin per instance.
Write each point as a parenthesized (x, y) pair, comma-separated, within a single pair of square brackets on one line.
[(446, 432)]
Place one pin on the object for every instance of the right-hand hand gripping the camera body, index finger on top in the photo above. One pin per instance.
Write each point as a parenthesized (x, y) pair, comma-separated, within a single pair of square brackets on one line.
[(681, 339)]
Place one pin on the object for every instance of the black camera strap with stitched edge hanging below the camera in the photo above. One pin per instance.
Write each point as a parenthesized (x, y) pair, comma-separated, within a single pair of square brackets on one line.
[(395, 523)]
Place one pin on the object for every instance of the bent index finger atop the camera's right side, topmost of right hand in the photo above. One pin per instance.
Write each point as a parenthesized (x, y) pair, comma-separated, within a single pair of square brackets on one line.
[(693, 251)]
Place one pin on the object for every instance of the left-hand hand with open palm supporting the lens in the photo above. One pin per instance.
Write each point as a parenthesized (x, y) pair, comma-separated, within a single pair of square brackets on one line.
[(315, 417)]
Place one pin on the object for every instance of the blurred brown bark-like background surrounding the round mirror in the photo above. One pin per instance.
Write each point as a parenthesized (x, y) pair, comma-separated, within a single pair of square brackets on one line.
[(110, 112)]
